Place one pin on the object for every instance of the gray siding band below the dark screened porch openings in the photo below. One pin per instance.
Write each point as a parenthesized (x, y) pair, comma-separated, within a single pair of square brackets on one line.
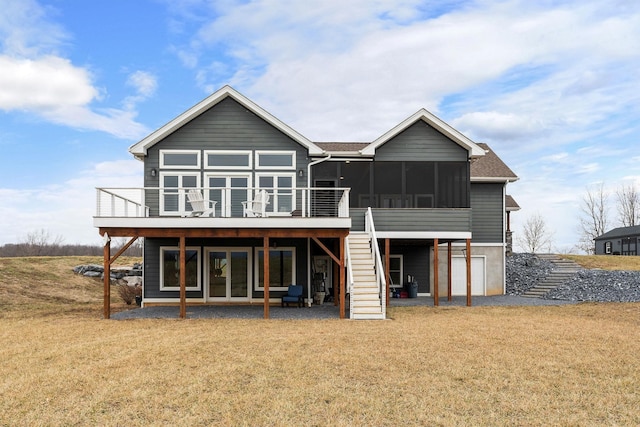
[(414, 219)]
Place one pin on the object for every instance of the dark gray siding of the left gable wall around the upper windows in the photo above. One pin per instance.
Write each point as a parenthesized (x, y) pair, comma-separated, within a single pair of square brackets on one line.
[(226, 126)]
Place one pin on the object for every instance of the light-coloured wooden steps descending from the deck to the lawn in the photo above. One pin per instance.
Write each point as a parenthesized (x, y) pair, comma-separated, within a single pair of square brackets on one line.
[(365, 301)]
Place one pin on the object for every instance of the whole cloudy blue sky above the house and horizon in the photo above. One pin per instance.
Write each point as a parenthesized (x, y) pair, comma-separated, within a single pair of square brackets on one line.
[(552, 86)]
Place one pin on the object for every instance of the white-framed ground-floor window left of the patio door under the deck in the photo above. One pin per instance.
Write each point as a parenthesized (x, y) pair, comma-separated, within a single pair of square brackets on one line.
[(170, 269)]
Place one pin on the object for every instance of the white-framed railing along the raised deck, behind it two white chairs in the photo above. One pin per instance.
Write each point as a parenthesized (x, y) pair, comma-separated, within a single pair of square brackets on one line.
[(167, 202)]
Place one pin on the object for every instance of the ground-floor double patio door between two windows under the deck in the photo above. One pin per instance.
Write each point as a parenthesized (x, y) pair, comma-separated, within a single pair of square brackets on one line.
[(228, 274)]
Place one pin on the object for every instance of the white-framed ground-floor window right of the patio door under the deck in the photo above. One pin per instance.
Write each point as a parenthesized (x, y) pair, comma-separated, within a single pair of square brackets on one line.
[(282, 265)]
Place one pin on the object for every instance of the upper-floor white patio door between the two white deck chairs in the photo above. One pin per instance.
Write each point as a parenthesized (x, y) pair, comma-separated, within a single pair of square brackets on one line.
[(229, 190)]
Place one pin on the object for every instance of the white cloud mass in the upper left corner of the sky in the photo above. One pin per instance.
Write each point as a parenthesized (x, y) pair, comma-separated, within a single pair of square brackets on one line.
[(35, 79)]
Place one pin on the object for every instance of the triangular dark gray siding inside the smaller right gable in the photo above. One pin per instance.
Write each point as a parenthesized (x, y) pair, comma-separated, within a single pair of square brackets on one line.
[(421, 142)]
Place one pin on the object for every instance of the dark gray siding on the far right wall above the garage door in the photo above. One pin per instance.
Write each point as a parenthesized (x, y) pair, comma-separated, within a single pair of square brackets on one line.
[(487, 205)]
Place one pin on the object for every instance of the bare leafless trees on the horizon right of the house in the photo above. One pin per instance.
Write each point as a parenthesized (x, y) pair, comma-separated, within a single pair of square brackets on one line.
[(595, 218)]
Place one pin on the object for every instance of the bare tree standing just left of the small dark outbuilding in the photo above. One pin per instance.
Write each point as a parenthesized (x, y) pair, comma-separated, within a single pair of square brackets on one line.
[(594, 220)]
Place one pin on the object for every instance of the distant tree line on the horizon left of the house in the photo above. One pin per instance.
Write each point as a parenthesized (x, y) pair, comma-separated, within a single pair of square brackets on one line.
[(42, 243)]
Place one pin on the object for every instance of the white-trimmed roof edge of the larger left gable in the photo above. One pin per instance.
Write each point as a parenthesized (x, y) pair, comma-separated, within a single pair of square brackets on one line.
[(139, 149)]
